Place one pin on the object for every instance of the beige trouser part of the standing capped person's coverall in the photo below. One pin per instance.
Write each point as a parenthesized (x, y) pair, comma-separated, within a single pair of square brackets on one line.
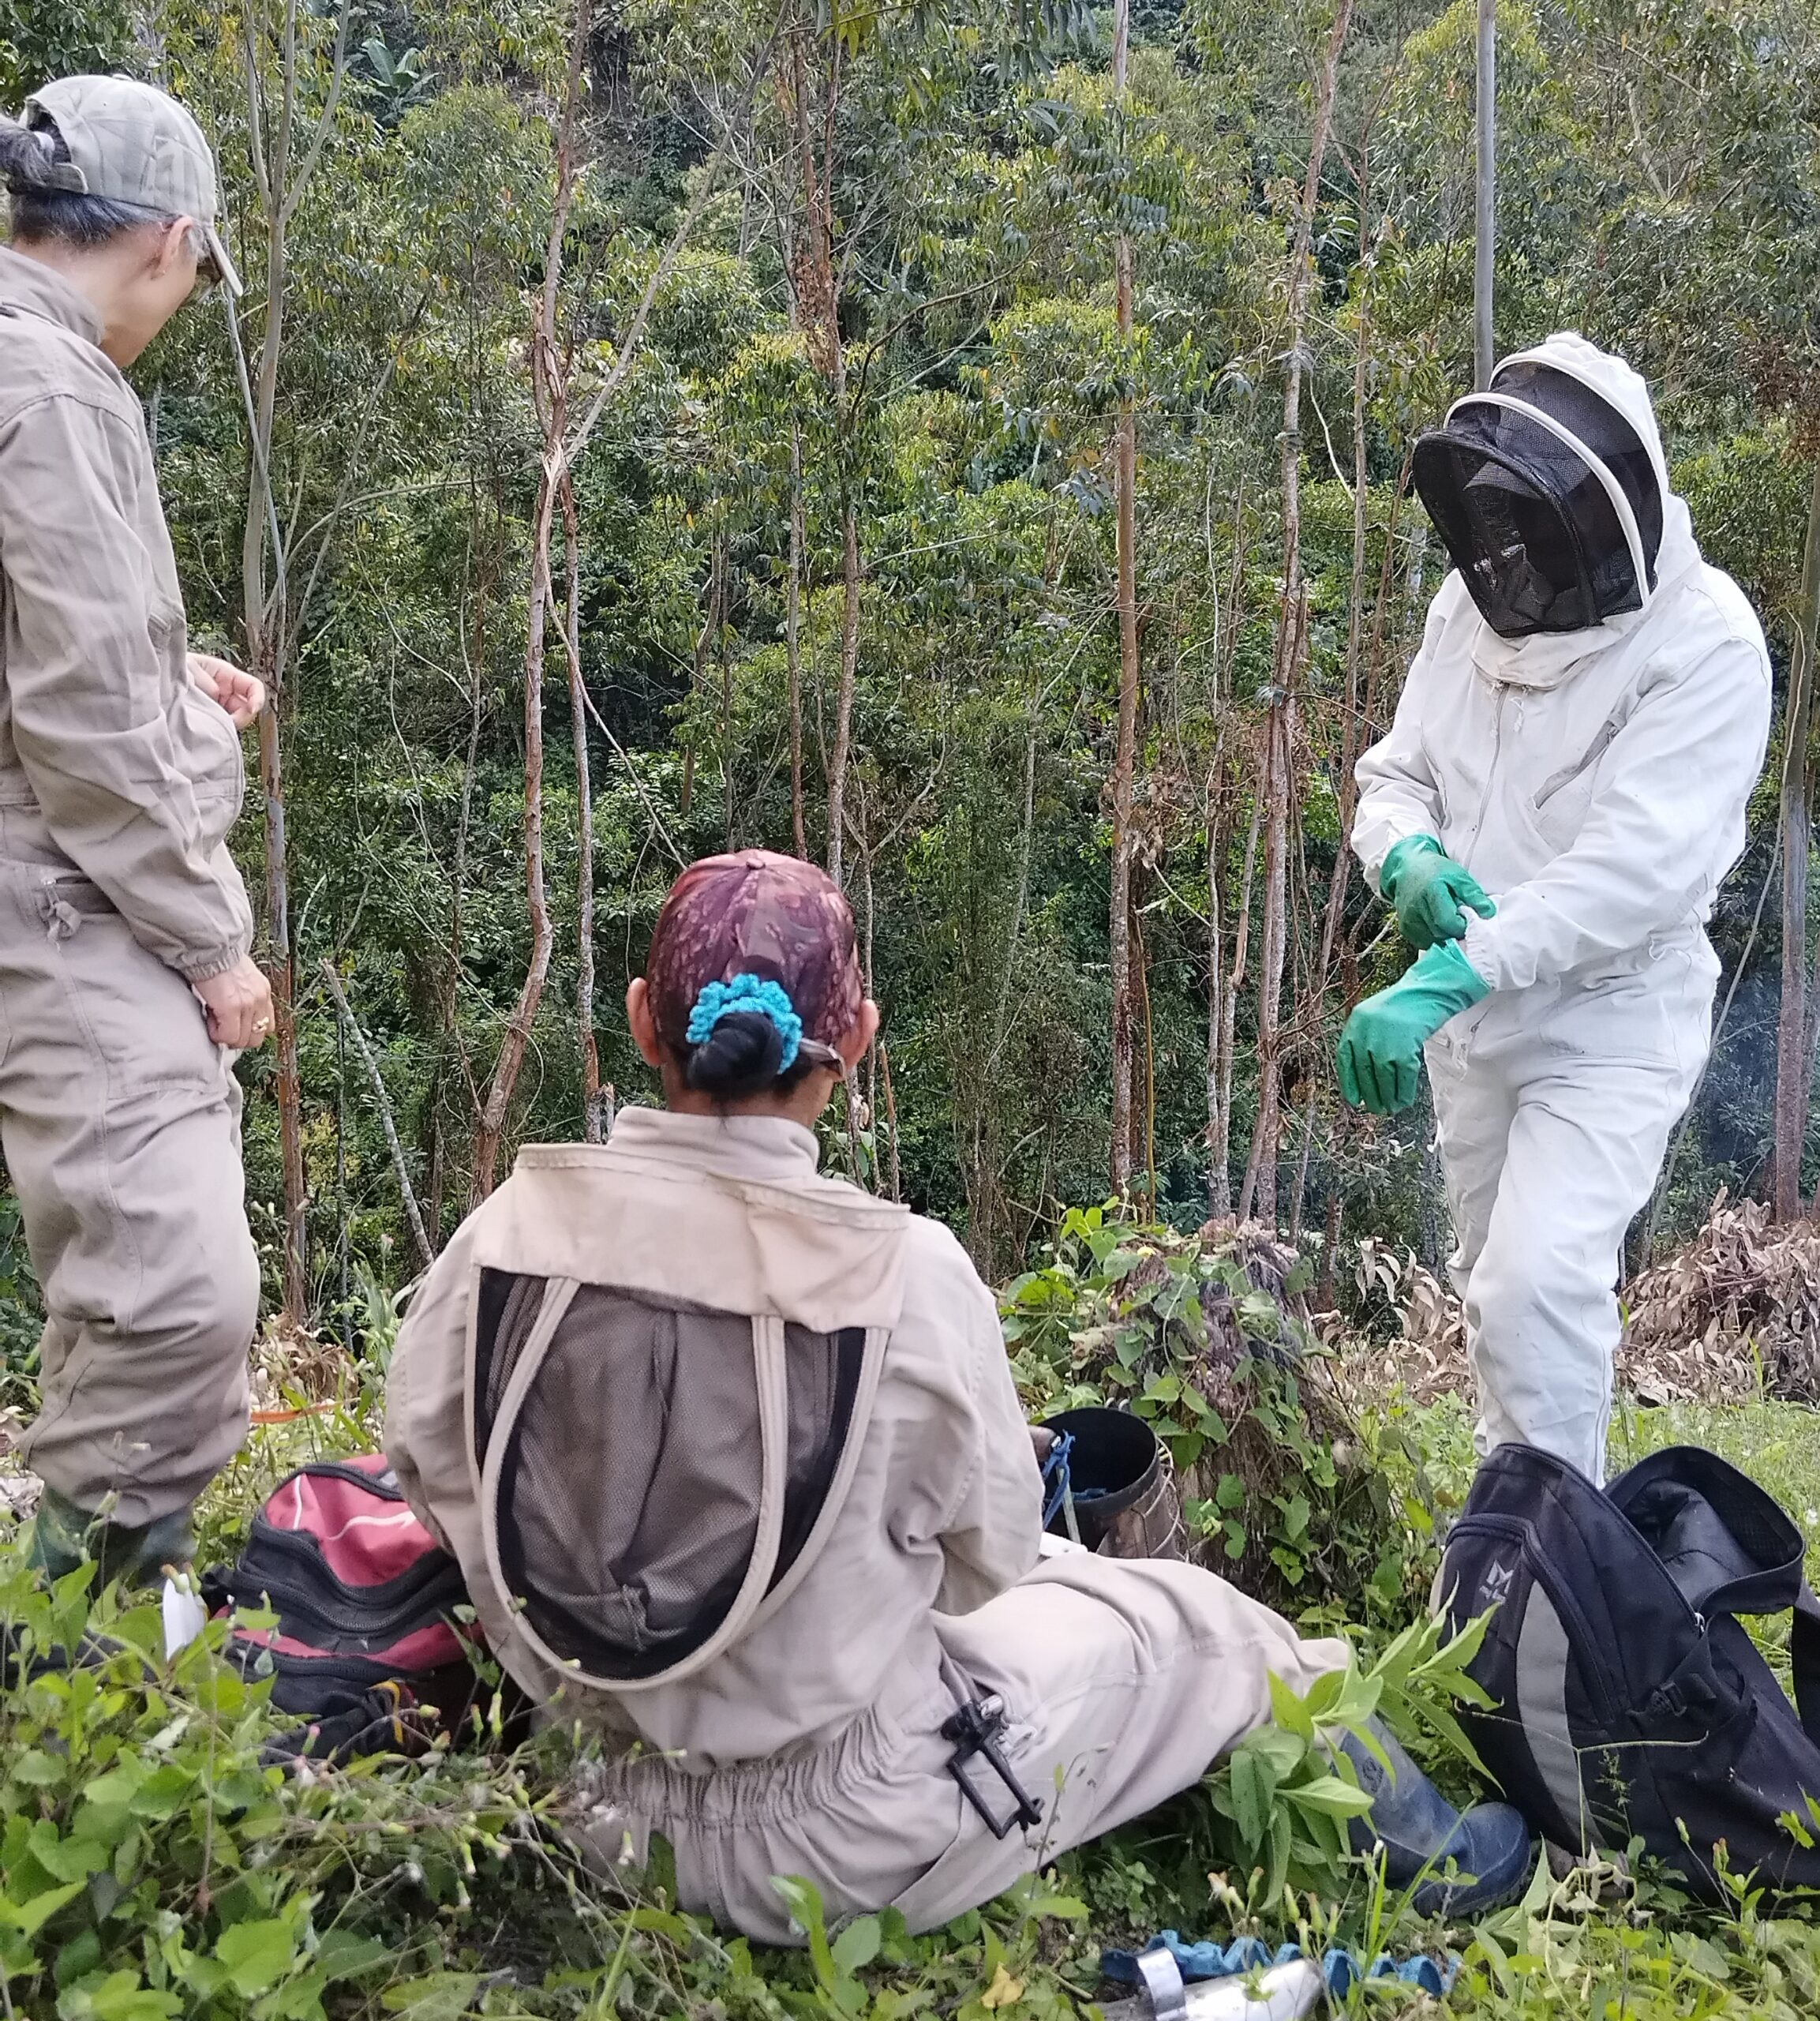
[(122, 1131)]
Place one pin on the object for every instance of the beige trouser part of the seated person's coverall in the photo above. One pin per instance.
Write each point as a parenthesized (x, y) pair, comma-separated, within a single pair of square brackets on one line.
[(1124, 1682)]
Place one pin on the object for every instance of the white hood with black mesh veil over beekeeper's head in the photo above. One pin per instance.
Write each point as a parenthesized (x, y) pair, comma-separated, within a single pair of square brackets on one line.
[(1550, 492)]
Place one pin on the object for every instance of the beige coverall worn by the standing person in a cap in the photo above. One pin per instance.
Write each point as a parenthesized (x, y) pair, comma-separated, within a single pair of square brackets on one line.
[(118, 787)]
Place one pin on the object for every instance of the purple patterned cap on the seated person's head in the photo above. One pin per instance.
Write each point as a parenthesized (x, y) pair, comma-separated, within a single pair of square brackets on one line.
[(756, 915)]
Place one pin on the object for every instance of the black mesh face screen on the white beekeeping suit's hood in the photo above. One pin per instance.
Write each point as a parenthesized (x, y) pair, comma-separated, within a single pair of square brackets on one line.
[(1528, 522)]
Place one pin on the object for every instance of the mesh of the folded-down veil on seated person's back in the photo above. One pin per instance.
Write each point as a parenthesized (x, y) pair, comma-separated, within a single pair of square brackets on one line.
[(629, 1488)]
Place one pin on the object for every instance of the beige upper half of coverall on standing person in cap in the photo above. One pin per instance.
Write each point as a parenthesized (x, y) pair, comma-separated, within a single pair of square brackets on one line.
[(110, 759)]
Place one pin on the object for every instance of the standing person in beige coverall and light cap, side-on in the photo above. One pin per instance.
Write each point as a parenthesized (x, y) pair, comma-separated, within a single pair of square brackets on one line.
[(126, 981)]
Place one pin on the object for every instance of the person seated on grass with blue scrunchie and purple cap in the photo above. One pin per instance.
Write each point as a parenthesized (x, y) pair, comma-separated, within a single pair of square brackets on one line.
[(732, 1460)]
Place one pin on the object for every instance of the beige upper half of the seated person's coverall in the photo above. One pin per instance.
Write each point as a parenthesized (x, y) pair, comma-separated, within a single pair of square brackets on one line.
[(730, 1218)]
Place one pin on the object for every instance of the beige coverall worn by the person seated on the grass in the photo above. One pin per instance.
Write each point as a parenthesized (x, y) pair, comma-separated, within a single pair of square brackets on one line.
[(811, 1745)]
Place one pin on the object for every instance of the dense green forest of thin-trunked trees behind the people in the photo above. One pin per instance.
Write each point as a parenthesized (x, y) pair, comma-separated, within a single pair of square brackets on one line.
[(664, 427)]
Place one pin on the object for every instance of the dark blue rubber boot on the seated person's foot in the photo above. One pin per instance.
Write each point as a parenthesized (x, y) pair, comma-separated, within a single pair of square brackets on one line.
[(1423, 1834)]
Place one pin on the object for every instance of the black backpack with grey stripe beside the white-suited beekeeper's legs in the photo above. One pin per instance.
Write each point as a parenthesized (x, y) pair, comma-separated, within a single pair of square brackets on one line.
[(1629, 1699)]
